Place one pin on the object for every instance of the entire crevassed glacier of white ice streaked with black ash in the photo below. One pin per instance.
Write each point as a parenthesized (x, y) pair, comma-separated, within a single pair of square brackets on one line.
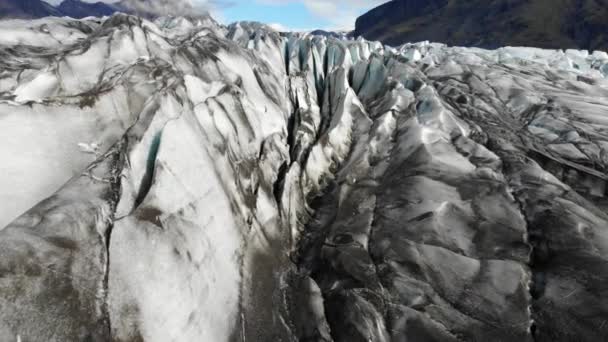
[(184, 181)]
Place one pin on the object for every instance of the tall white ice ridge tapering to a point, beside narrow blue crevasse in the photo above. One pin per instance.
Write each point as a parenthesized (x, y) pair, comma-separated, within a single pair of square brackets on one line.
[(199, 225)]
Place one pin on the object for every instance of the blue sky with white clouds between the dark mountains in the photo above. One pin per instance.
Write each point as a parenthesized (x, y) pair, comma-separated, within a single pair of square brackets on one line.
[(297, 15)]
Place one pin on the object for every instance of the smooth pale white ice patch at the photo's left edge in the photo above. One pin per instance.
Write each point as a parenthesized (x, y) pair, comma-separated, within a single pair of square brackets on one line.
[(40, 149)]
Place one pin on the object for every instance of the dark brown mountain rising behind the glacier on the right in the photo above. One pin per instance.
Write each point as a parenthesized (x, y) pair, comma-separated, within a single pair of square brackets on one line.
[(580, 24)]
